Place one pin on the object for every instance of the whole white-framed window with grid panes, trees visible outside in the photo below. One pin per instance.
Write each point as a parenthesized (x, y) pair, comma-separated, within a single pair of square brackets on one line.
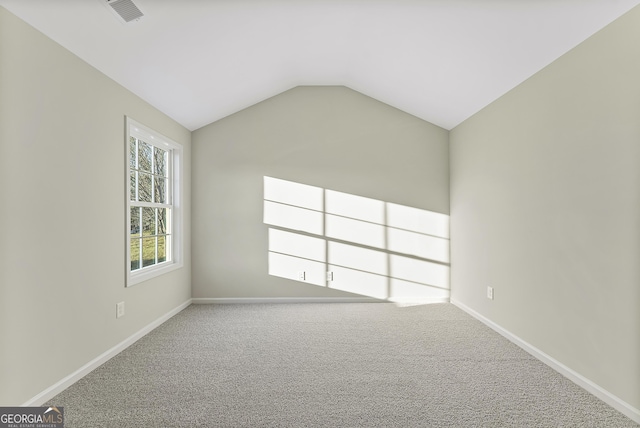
[(153, 203)]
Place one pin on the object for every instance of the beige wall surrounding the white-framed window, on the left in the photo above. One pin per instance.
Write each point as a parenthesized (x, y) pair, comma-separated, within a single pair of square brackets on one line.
[(62, 219)]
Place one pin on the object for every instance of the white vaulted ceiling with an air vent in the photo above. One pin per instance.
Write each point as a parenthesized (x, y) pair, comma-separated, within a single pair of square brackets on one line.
[(201, 60)]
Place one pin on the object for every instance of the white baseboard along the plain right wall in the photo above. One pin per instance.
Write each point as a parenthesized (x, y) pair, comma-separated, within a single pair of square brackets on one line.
[(591, 387)]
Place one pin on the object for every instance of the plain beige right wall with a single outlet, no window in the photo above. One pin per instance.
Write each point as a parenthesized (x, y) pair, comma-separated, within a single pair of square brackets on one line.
[(545, 207)]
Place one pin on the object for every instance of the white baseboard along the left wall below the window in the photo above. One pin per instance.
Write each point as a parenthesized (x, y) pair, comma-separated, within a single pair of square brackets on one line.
[(66, 382)]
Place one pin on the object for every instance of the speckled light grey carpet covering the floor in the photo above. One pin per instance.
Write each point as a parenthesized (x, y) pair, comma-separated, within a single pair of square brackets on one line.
[(328, 365)]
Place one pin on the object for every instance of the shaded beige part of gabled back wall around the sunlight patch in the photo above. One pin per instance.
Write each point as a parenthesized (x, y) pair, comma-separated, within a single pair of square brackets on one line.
[(330, 137)]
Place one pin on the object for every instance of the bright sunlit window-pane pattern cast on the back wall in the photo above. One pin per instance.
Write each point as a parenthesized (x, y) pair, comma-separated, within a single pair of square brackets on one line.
[(355, 244)]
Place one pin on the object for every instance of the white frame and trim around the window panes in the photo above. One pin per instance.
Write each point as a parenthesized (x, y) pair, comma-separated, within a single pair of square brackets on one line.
[(148, 135)]
